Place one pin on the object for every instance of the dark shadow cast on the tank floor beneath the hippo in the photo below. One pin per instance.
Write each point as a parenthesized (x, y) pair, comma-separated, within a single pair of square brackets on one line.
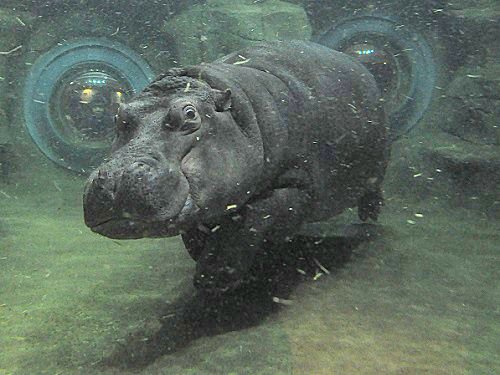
[(193, 315)]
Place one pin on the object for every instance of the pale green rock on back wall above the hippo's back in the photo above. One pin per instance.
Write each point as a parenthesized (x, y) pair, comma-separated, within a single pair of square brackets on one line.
[(208, 31)]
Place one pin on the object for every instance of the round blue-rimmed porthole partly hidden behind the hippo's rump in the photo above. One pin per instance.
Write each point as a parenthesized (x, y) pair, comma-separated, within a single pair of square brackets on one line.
[(400, 60)]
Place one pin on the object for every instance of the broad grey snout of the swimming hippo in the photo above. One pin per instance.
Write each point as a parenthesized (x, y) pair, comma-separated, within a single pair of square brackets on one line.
[(121, 200)]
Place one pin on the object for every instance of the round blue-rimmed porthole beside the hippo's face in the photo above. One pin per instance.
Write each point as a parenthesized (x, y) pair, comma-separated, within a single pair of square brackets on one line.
[(72, 94)]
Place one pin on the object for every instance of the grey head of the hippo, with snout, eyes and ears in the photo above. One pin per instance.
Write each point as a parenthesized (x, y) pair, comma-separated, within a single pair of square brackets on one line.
[(179, 159)]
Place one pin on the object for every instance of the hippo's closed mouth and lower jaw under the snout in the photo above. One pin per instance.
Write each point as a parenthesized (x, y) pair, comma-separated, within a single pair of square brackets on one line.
[(124, 227)]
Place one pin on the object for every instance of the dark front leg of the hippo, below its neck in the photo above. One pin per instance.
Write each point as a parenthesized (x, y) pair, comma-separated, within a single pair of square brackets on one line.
[(230, 249)]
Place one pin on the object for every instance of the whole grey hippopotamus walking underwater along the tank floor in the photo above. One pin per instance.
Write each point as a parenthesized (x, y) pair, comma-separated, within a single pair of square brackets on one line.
[(238, 154)]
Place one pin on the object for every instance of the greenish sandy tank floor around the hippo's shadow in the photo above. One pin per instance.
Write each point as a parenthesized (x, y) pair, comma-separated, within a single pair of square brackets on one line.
[(421, 298)]
